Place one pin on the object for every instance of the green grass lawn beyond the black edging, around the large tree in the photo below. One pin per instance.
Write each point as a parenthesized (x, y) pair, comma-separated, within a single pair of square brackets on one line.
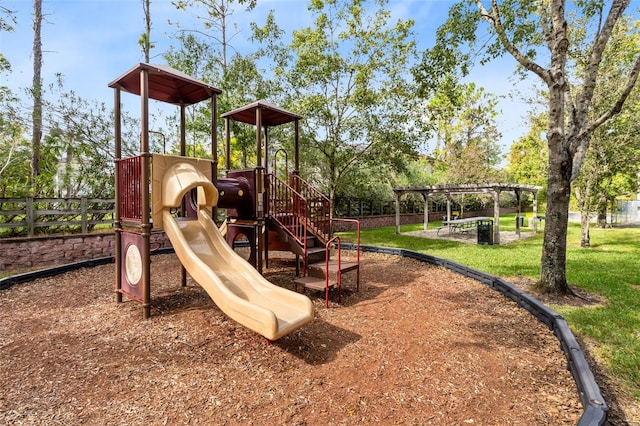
[(611, 268)]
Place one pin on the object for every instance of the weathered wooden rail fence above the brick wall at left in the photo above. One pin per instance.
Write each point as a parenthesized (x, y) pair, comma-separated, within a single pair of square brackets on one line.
[(31, 216)]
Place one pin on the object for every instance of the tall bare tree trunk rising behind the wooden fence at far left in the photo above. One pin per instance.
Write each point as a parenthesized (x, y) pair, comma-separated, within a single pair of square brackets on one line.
[(36, 115)]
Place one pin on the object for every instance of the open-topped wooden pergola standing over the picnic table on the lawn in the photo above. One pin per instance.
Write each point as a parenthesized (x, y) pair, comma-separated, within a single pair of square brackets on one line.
[(493, 189)]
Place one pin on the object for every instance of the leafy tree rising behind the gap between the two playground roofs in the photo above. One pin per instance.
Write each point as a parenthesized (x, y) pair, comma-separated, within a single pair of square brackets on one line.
[(202, 53)]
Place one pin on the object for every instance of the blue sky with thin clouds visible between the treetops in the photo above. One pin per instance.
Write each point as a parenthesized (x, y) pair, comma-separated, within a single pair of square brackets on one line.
[(92, 42)]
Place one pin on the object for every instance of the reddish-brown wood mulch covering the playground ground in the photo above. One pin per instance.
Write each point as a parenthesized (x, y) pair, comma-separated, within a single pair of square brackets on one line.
[(417, 345)]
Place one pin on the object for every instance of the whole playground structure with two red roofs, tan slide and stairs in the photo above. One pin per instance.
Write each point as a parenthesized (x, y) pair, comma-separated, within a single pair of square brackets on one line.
[(180, 195)]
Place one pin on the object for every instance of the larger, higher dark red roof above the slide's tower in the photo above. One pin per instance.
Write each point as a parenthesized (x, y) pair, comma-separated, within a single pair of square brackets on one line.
[(166, 84)]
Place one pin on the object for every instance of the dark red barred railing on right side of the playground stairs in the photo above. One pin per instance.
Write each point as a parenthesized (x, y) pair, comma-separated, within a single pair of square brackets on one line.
[(318, 207)]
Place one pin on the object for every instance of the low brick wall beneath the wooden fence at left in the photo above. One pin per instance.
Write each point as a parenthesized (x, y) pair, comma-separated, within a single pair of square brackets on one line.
[(21, 254)]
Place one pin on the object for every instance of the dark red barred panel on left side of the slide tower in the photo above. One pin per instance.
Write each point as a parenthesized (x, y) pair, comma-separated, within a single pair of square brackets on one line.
[(129, 195)]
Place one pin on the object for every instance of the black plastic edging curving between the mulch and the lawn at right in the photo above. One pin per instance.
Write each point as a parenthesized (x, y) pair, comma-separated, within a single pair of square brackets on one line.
[(594, 406)]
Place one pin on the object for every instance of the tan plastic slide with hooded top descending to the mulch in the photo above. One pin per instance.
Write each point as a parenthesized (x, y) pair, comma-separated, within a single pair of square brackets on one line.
[(240, 291)]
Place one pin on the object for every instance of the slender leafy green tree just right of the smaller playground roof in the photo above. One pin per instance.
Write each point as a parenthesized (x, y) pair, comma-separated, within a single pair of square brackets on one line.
[(346, 78)]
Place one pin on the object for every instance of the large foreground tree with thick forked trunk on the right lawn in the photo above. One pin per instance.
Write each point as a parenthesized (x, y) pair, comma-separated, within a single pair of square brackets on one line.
[(532, 32)]
